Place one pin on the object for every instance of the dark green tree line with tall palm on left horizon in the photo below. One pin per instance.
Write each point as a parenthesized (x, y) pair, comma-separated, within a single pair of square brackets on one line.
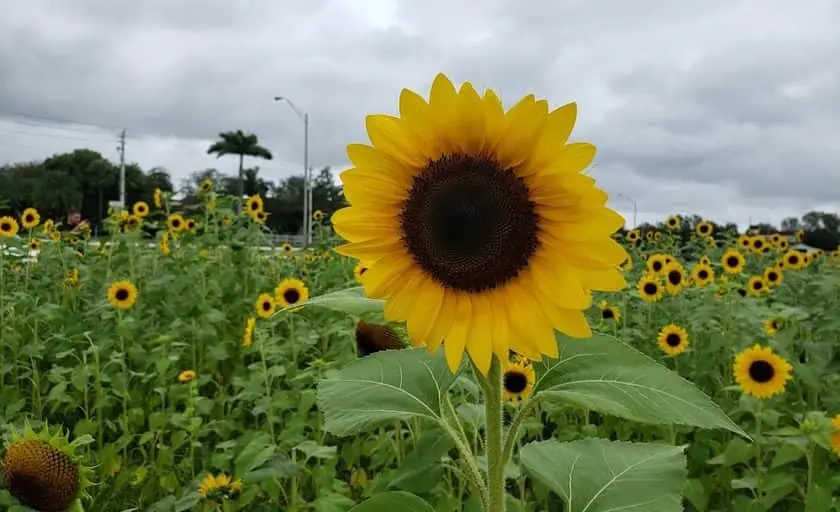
[(85, 181)]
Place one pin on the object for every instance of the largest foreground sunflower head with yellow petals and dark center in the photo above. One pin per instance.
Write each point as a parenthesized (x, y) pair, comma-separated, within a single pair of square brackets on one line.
[(479, 225)]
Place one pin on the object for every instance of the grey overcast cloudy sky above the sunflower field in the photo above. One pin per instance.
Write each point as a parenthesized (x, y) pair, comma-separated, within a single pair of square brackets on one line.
[(726, 108)]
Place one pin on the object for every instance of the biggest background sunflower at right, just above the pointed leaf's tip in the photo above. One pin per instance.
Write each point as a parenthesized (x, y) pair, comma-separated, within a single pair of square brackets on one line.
[(761, 373)]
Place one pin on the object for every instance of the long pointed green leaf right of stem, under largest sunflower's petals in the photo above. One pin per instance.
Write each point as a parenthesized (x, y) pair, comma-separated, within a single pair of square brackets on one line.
[(606, 375)]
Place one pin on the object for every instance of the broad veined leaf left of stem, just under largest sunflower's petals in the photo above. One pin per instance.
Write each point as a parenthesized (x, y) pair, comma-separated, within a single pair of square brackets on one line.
[(386, 386)]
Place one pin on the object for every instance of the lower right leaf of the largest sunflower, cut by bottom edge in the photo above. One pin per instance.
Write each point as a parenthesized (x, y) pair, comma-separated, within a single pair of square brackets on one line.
[(597, 475)]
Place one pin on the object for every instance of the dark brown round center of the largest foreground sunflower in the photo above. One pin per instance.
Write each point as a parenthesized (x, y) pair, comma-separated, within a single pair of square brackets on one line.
[(469, 224)]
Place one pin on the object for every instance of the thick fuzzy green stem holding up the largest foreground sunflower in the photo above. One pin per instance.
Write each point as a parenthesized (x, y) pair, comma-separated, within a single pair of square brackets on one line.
[(492, 385)]
